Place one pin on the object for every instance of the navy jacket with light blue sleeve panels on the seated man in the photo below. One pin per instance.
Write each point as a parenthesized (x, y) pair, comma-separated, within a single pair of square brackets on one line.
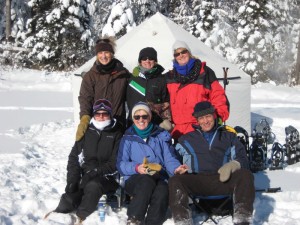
[(207, 152)]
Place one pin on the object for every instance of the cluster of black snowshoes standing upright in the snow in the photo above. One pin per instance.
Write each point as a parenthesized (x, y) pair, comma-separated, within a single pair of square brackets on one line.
[(262, 136)]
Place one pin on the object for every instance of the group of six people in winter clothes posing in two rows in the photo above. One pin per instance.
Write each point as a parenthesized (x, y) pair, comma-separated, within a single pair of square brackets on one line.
[(171, 145)]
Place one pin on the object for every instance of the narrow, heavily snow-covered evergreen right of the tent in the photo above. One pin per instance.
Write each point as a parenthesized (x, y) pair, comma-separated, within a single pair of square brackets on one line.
[(254, 39)]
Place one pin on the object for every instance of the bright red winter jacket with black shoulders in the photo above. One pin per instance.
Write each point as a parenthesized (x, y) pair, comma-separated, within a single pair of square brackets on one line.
[(183, 98)]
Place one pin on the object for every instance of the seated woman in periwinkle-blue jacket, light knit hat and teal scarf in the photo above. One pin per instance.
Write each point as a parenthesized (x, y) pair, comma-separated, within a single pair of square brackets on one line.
[(146, 159)]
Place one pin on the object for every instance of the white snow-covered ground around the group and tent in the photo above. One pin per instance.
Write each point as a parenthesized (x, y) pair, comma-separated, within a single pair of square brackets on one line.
[(37, 132)]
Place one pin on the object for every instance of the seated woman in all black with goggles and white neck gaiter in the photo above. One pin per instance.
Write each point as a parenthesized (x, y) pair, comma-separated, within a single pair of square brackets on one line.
[(91, 164)]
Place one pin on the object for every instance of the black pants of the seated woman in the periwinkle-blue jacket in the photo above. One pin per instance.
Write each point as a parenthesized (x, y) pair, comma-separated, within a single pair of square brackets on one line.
[(149, 195)]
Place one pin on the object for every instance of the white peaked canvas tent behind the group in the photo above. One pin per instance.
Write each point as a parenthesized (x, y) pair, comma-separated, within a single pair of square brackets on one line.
[(160, 32)]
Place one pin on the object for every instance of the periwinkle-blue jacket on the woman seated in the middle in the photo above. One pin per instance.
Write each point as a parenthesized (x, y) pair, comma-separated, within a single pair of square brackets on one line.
[(157, 149)]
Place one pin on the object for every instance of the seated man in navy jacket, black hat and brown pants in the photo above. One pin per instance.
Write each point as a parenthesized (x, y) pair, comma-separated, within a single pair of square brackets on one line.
[(218, 166)]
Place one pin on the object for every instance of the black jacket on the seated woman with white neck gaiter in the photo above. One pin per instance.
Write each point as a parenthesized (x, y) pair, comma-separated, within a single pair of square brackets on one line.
[(97, 149)]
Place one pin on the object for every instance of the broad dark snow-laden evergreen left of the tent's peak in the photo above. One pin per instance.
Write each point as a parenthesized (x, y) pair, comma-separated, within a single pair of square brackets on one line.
[(59, 33)]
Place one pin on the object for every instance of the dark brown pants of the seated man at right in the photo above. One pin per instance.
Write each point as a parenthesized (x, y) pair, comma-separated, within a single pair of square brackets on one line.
[(240, 184)]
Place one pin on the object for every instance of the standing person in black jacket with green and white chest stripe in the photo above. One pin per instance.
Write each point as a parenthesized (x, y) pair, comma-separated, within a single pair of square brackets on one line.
[(148, 84)]
